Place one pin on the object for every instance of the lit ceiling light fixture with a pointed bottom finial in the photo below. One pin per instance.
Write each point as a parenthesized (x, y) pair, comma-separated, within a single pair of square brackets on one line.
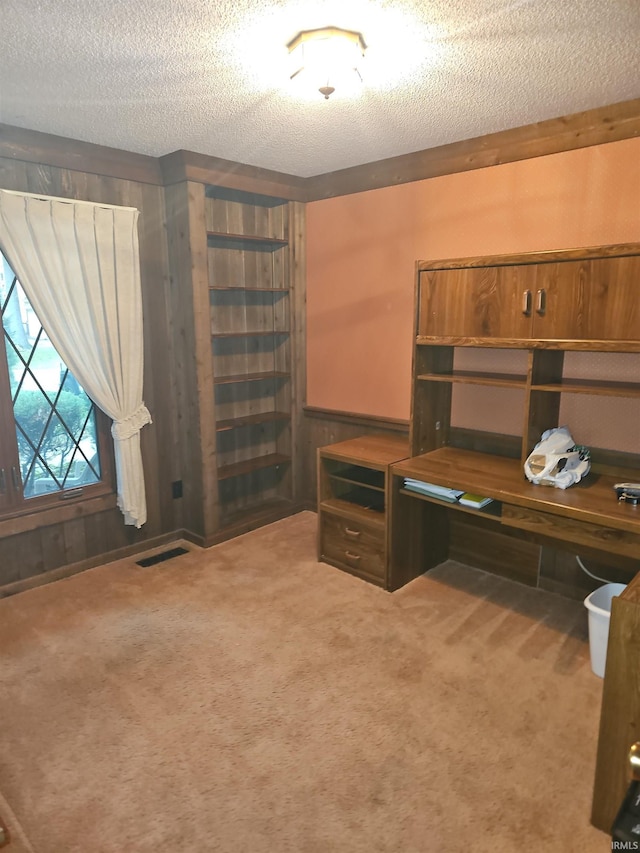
[(327, 58)]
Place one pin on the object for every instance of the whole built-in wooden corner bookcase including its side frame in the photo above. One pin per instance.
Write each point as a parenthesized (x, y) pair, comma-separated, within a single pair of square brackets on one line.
[(238, 251)]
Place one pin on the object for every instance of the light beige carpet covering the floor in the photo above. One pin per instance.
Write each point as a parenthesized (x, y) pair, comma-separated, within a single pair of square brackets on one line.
[(247, 698)]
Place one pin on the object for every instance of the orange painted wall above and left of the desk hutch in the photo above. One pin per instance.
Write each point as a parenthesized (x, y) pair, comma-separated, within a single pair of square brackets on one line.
[(362, 248)]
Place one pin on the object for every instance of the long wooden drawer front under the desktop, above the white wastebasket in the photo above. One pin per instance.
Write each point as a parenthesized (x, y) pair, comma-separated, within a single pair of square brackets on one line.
[(571, 530)]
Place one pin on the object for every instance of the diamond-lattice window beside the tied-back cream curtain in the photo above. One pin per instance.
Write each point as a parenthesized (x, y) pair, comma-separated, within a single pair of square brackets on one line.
[(52, 438)]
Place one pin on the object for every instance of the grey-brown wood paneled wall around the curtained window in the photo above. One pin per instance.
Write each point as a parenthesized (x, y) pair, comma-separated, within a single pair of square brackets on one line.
[(65, 541)]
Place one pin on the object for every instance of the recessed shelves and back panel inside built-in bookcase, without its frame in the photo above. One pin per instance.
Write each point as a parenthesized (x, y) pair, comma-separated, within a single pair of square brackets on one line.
[(248, 270)]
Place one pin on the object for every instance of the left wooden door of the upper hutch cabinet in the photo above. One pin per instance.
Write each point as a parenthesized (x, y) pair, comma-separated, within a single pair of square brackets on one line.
[(477, 302)]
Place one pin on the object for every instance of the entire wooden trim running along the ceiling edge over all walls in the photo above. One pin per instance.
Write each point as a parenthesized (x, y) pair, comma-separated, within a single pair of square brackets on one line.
[(579, 130)]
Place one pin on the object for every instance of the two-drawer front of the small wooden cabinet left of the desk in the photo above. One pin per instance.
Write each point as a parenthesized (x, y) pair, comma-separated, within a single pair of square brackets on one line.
[(353, 545)]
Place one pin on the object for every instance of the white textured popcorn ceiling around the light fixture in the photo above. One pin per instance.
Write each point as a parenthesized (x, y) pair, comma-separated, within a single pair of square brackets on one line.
[(210, 76)]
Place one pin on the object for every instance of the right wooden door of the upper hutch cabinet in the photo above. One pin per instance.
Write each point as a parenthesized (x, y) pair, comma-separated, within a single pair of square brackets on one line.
[(588, 300)]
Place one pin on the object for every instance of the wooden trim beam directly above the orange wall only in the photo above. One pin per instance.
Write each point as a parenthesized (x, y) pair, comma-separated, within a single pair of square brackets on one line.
[(580, 130)]
